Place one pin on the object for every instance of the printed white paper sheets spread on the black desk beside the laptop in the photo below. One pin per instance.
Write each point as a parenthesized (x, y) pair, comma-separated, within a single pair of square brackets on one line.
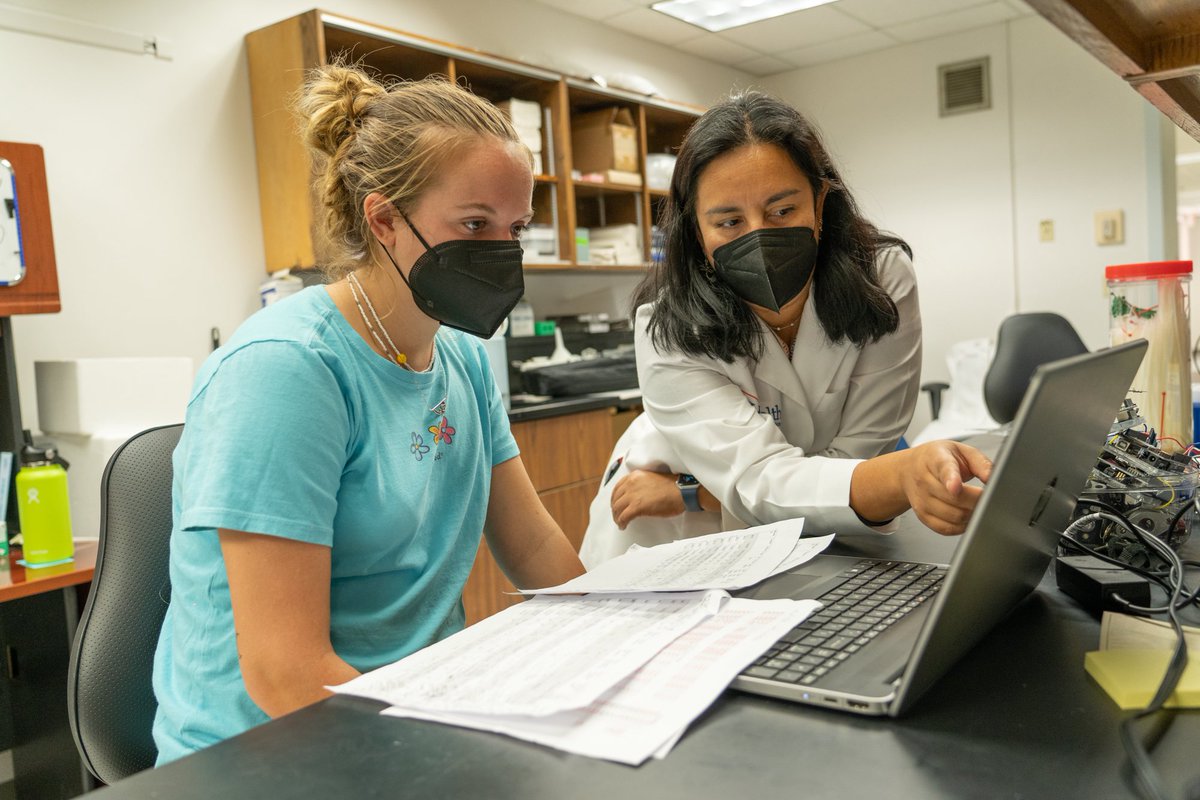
[(621, 672)]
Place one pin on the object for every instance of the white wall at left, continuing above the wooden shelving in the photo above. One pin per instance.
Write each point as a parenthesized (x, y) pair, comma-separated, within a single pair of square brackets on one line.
[(152, 164)]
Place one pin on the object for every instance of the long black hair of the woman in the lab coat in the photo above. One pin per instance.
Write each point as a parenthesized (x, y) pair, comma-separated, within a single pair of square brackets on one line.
[(695, 311)]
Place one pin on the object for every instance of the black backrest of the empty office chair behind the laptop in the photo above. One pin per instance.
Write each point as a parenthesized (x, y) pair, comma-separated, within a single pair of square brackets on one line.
[(1024, 344)]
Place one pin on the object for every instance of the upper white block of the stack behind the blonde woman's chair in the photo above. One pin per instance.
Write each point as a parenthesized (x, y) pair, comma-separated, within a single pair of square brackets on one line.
[(91, 396)]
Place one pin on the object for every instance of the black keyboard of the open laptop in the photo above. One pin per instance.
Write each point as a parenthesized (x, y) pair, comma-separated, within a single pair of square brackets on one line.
[(877, 596)]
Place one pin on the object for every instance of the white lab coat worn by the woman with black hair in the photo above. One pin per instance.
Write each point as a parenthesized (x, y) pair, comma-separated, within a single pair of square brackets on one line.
[(771, 441)]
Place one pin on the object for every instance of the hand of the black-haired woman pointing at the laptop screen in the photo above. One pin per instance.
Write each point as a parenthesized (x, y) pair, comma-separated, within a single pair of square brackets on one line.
[(935, 484)]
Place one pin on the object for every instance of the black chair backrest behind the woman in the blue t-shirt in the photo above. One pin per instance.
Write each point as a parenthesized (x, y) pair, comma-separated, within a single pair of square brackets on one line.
[(110, 695)]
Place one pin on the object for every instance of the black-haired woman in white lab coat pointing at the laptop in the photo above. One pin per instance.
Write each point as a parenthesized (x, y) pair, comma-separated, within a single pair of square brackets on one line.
[(778, 353)]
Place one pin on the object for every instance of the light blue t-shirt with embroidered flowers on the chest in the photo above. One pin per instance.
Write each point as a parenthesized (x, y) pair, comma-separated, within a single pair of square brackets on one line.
[(298, 429)]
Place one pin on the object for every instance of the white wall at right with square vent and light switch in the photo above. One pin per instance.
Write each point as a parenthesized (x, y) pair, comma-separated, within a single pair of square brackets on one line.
[(1064, 139)]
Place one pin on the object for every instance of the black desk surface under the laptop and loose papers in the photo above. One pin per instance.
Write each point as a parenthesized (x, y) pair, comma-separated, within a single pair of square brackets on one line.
[(1017, 718)]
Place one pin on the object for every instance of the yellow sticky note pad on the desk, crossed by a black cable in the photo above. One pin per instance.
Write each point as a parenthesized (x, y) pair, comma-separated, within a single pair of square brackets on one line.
[(1132, 677)]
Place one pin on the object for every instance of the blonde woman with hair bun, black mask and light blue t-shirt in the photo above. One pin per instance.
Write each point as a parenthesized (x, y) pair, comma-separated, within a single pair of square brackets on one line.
[(347, 447)]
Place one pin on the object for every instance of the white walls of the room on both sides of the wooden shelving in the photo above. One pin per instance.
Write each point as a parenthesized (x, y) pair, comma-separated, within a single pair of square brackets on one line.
[(154, 197)]
